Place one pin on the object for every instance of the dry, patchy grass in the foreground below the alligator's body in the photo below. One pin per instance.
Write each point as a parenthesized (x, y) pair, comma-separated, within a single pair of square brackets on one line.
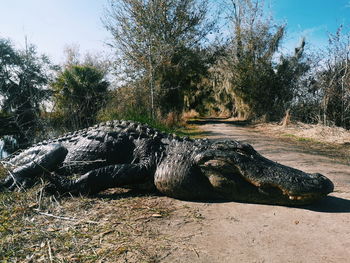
[(116, 226)]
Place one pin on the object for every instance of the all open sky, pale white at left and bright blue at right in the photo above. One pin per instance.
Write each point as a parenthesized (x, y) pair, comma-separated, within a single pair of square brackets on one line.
[(53, 24)]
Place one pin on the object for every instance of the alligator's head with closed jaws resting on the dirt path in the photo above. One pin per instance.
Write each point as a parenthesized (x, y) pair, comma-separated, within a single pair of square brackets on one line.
[(238, 172)]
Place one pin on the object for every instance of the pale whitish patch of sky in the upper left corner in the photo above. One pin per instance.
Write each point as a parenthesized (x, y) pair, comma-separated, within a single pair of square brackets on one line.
[(52, 24)]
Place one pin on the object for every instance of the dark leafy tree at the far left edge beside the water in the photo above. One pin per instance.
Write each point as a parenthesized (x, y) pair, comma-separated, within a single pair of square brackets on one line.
[(24, 76)]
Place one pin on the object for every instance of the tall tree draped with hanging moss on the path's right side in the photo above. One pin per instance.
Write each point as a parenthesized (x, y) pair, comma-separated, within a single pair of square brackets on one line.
[(259, 83)]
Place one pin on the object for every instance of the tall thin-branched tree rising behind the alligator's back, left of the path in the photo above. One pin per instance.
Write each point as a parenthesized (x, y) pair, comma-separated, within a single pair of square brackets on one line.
[(154, 40)]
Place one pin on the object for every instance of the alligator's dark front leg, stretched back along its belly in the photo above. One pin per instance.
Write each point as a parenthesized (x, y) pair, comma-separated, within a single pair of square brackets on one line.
[(103, 178)]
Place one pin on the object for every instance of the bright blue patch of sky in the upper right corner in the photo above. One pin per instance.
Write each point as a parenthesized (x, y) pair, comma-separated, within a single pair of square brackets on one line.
[(312, 19)]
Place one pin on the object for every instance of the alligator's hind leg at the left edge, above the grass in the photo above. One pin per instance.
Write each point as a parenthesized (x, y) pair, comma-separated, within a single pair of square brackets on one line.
[(24, 168)]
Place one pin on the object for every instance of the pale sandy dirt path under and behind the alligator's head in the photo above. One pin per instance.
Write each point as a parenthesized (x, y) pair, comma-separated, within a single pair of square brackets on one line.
[(238, 232)]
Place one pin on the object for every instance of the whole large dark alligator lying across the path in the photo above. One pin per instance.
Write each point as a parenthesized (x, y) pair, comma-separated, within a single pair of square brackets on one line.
[(128, 154)]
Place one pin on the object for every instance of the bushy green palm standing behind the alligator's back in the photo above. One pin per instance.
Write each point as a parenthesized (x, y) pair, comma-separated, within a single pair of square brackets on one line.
[(80, 91)]
